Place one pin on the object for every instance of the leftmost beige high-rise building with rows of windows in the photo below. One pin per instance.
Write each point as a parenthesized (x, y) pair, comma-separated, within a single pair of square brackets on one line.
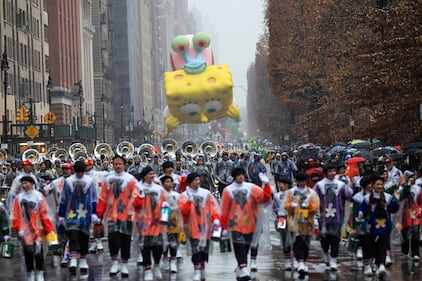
[(24, 39)]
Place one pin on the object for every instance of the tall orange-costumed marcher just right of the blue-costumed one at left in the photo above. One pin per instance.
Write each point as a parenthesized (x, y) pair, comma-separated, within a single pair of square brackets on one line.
[(115, 206)]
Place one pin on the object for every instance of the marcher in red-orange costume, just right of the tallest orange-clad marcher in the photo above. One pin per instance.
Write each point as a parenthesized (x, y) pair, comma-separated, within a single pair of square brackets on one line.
[(148, 207)]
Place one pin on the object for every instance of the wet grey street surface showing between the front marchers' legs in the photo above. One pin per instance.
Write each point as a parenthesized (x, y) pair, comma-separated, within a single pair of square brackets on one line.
[(221, 266)]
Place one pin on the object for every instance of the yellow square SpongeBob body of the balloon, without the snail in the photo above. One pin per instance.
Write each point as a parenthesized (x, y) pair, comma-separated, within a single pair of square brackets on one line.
[(199, 98)]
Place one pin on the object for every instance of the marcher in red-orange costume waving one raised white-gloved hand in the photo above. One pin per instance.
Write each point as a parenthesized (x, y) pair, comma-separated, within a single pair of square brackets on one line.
[(239, 208)]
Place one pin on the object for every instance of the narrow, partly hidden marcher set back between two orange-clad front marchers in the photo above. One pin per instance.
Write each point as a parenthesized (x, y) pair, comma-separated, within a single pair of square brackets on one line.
[(173, 226)]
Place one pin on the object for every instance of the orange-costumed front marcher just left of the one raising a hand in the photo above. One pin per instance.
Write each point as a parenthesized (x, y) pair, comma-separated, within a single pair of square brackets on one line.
[(200, 214)]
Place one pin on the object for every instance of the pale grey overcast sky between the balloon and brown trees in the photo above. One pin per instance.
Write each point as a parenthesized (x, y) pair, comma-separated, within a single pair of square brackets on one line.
[(234, 27)]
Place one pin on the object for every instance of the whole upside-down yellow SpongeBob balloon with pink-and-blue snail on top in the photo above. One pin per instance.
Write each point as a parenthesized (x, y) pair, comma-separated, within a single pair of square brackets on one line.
[(197, 91)]
